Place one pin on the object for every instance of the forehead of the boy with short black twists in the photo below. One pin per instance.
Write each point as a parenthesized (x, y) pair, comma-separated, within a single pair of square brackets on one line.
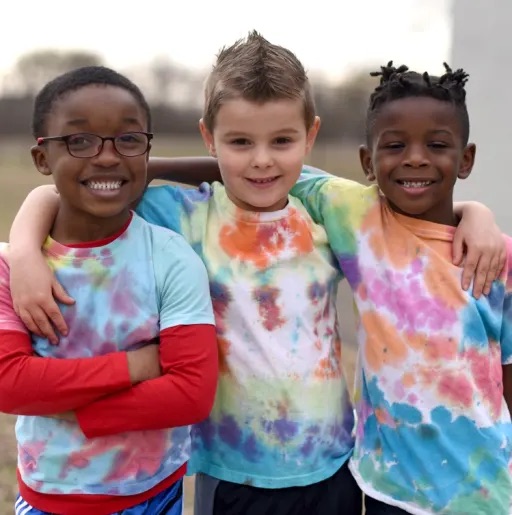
[(417, 113)]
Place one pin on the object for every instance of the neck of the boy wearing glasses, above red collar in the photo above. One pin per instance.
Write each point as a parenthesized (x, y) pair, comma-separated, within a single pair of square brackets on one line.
[(71, 226)]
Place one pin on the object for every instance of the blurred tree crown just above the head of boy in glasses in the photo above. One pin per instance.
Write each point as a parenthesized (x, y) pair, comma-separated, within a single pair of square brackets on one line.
[(33, 70)]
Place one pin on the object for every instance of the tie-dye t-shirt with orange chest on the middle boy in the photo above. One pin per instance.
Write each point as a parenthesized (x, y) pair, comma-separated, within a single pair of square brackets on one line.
[(282, 415)]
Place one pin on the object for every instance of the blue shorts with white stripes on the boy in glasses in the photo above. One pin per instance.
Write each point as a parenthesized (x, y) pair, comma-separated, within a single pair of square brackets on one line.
[(168, 502)]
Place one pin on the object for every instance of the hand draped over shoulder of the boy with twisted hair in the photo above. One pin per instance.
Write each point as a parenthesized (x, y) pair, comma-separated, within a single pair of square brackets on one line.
[(481, 240)]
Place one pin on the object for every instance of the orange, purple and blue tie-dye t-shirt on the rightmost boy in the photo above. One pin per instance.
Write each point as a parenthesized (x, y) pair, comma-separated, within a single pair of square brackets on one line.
[(433, 432)]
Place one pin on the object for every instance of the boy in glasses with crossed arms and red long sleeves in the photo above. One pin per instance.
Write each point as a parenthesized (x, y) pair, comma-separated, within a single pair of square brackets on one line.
[(104, 417)]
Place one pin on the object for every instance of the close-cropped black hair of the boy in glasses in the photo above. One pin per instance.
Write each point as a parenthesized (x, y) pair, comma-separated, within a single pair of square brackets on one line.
[(74, 80)]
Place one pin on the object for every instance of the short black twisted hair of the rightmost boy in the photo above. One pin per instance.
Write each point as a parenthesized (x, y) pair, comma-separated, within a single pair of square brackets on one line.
[(398, 83)]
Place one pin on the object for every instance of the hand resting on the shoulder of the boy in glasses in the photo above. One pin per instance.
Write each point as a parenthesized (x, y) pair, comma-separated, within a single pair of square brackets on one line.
[(34, 292)]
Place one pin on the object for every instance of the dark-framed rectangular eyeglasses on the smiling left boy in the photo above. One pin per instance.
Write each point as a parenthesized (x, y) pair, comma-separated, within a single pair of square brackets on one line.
[(128, 144)]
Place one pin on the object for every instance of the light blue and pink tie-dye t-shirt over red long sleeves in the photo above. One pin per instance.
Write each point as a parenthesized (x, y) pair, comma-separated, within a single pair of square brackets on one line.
[(125, 294)]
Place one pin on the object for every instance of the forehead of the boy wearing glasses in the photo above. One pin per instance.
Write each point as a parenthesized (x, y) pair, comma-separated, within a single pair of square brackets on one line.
[(97, 103)]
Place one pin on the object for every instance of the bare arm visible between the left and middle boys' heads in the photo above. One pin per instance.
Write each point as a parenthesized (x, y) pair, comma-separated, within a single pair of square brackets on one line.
[(186, 170)]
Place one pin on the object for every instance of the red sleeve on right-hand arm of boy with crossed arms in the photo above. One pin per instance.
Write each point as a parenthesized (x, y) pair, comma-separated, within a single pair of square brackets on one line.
[(183, 395)]
